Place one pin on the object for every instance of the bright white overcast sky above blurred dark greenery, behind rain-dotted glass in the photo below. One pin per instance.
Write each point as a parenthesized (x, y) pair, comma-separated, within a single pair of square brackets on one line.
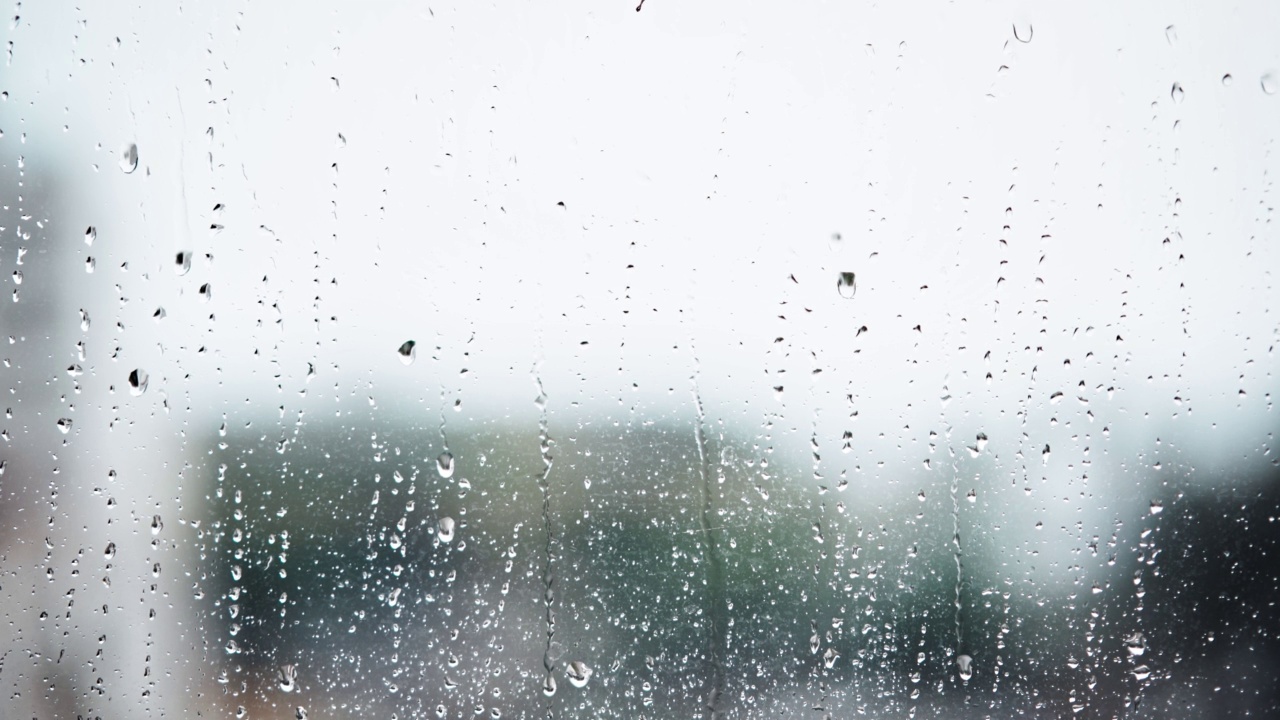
[(706, 156)]
